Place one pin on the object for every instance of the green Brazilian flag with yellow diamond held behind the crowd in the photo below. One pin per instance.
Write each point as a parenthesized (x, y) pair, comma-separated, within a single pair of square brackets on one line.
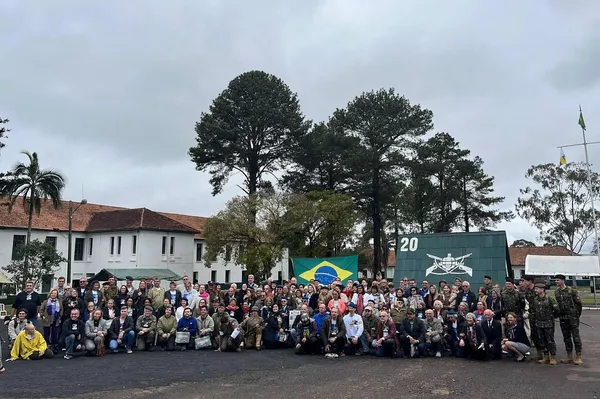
[(325, 270)]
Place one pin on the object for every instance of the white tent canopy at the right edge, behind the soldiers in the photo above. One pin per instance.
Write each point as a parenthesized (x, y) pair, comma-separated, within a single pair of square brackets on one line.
[(579, 266)]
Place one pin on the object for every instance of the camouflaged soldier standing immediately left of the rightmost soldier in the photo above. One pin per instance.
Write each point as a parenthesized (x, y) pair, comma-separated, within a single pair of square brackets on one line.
[(546, 310)]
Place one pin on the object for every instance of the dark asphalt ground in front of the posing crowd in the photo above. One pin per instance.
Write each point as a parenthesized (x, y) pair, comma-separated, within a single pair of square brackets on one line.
[(281, 373)]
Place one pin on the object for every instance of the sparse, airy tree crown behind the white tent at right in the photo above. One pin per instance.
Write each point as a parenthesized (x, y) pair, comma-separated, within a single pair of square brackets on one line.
[(560, 204)]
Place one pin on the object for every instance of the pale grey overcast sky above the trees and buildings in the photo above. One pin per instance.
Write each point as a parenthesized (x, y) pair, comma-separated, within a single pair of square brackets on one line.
[(108, 92)]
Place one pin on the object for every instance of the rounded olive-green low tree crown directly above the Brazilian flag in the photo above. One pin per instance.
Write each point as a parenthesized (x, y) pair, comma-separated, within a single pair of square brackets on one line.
[(318, 224)]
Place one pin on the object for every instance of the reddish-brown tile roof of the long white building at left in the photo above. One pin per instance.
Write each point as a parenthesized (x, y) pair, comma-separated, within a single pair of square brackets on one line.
[(95, 217)]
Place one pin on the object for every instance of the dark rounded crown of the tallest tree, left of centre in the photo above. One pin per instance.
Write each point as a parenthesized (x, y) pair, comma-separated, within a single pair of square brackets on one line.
[(250, 129)]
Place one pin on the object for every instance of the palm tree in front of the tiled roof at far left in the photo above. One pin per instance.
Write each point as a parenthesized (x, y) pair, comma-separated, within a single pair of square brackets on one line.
[(32, 184)]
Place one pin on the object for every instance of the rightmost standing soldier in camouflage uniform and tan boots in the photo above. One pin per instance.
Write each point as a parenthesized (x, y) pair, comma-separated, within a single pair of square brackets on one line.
[(569, 312)]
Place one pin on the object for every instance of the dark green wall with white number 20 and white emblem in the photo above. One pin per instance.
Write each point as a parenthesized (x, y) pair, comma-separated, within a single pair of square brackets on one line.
[(446, 256)]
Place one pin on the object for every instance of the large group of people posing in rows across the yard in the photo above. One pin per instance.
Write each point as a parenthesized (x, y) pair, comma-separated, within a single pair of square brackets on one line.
[(335, 320)]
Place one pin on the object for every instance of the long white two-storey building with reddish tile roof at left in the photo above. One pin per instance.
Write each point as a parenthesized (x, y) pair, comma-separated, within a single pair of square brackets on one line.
[(106, 237)]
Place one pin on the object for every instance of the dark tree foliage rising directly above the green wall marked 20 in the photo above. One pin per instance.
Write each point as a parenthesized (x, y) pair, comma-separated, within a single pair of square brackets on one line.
[(449, 190)]
